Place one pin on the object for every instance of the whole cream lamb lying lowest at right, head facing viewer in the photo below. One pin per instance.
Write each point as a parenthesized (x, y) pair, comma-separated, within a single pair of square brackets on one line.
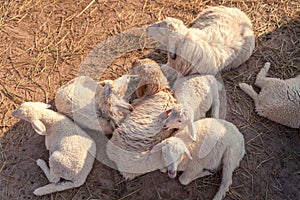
[(218, 143)]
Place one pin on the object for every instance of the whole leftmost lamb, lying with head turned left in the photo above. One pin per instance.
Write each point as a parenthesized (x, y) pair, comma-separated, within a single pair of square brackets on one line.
[(72, 151)]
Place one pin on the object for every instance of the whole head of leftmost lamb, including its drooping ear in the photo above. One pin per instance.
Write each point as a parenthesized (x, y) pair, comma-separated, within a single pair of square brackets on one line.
[(30, 111)]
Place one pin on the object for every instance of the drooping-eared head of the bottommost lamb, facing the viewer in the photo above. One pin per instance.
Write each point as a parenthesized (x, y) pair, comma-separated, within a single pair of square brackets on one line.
[(172, 150)]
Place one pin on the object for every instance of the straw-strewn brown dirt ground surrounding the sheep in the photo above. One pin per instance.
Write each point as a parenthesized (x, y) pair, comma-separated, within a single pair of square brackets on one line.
[(42, 46)]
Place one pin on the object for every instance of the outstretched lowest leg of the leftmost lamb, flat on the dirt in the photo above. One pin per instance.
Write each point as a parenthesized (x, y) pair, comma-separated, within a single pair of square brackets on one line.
[(55, 187)]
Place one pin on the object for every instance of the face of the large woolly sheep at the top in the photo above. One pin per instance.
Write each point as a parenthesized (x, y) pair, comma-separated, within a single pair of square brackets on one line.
[(162, 31)]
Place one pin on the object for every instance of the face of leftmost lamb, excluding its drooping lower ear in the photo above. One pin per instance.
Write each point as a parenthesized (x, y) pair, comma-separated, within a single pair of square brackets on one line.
[(29, 110)]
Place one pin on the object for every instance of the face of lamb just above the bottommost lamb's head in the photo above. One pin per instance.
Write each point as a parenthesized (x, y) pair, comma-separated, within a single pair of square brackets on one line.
[(176, 118)]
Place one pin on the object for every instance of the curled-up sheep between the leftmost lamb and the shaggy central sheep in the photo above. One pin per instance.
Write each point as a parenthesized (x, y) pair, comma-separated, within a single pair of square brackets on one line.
[(88, 102)]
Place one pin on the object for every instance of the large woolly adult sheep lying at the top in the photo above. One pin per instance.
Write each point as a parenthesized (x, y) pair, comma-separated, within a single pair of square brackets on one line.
[(219, 39)]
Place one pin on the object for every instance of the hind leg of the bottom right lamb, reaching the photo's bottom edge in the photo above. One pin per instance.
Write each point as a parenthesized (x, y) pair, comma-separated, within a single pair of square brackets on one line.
[(228, 168)]
